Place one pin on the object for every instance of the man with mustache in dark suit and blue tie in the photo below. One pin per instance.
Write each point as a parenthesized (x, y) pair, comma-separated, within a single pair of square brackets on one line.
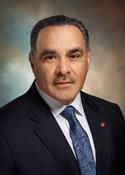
[(36, 136)]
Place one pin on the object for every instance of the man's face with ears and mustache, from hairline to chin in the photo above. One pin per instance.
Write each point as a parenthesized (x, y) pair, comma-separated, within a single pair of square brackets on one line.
[(61, 62)]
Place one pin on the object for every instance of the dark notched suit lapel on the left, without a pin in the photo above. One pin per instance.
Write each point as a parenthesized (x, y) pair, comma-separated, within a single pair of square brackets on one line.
[(50, 134)]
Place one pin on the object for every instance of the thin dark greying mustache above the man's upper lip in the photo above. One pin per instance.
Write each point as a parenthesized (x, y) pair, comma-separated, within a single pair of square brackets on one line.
[(63, 78)]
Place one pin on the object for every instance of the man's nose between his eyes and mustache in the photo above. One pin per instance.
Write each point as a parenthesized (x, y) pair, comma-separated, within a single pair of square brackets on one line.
[(63, 66)]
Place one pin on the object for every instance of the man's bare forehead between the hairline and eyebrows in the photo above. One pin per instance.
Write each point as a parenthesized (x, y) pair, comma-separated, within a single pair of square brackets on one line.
[(60, 36)]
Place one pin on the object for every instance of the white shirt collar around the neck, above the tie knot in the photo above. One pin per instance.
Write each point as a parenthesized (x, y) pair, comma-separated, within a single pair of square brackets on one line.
[(57, 107)]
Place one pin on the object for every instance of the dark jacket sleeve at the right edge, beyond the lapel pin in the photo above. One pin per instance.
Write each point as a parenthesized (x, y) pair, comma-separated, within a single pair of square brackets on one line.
[(118, 166)]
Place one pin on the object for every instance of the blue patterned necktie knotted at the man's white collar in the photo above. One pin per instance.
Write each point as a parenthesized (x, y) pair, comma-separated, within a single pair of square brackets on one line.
[(80, 142)]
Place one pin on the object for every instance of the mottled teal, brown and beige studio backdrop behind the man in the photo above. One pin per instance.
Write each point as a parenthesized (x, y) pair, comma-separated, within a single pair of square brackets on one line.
[(105, 20)]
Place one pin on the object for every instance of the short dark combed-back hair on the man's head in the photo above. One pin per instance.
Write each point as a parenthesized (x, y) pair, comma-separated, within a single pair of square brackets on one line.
[(58, 20)]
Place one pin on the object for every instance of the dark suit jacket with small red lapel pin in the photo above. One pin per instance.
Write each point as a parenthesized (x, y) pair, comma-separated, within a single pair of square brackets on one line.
[(31, 142)]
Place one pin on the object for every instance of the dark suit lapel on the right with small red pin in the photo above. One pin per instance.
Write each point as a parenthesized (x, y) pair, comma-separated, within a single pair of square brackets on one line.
[(101, 134)]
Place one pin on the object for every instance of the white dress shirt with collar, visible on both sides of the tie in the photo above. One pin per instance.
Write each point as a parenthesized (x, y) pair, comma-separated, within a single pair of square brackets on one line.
[(57, 107)]
